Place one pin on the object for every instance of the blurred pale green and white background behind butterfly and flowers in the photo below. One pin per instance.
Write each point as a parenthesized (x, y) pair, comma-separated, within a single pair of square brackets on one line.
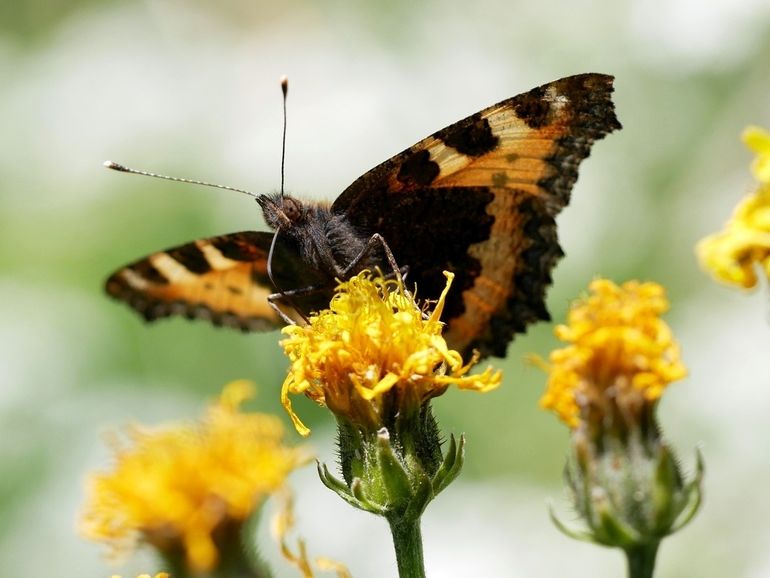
[(191, 88)]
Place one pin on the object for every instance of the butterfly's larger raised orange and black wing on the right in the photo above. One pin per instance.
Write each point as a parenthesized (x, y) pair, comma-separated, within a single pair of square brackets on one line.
[(479, 198)]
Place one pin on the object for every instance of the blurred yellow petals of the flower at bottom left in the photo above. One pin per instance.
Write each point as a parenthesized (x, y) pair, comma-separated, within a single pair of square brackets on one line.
[(175, 486)]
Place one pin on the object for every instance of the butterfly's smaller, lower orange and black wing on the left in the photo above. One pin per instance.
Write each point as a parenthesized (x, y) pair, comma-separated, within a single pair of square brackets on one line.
[(222, 279)]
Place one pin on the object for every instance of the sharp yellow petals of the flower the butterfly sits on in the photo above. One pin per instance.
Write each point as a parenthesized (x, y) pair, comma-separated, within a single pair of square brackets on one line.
[(374, 350)]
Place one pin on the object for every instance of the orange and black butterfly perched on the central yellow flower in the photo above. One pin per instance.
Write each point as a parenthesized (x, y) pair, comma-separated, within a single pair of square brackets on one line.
[(477, 198)]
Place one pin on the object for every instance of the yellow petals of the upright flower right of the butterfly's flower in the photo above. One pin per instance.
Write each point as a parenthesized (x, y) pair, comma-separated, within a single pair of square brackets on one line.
[(620, 357)]
